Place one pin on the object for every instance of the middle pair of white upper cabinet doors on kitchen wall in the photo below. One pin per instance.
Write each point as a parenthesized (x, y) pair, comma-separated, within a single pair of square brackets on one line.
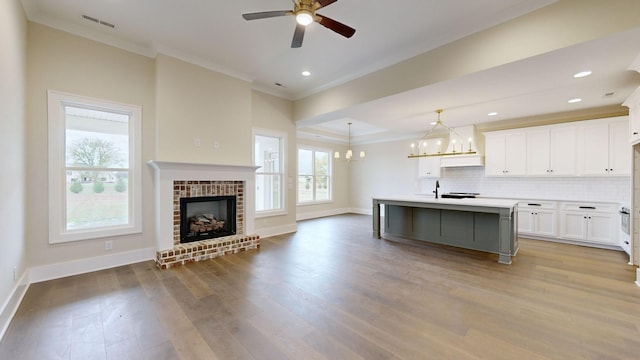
[(552, 151)]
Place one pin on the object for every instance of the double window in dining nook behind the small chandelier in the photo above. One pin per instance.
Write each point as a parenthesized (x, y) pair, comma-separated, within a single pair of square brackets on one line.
[(314, 175)]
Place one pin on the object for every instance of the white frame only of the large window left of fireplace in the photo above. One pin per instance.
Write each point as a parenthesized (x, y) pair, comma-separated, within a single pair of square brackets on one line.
[(58, 233)]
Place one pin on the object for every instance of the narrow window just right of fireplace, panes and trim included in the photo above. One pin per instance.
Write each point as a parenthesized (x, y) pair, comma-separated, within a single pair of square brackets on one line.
[(268, 153)]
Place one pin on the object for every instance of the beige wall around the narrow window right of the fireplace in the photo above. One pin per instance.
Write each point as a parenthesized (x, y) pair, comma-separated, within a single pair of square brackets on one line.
[(275, 114)]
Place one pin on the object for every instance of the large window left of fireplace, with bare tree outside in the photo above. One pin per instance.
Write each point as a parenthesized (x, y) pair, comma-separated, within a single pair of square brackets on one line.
[(94, 168)]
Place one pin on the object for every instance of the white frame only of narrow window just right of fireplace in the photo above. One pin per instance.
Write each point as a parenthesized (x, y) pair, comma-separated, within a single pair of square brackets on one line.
[(282, 136)]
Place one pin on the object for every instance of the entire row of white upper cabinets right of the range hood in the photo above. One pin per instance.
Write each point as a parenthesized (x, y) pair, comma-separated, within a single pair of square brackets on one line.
[(585, 148)]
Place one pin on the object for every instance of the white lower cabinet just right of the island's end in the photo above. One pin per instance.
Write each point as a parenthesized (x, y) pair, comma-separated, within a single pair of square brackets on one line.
[(538, 218)]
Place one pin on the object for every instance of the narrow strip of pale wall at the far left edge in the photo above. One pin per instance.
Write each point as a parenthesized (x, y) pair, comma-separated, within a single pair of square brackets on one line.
[(13, 69)]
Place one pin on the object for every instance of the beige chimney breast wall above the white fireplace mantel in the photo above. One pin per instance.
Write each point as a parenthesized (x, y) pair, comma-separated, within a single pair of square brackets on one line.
[(196, 103)]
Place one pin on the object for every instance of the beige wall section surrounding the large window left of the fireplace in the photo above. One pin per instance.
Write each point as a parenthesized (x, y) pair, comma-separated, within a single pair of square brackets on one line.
[(63, 62)]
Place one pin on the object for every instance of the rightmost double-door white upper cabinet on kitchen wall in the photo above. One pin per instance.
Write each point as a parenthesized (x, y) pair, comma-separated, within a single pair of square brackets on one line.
[(605, 147)]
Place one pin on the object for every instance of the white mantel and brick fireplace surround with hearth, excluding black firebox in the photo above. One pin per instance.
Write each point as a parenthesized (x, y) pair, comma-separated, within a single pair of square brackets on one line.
[(175, 180)]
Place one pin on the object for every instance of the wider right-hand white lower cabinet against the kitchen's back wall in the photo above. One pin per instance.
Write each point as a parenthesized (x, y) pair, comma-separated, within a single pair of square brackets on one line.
[(591, 223)]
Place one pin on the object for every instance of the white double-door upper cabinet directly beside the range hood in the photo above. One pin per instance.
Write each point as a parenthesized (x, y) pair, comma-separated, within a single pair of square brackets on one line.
[(505, 154)]
